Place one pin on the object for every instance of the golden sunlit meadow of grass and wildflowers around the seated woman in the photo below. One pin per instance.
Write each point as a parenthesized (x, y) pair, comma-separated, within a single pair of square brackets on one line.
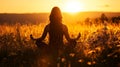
[(98, 46)]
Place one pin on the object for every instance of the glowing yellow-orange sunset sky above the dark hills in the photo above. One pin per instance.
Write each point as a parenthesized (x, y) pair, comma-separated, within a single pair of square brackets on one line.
[(37, 6)]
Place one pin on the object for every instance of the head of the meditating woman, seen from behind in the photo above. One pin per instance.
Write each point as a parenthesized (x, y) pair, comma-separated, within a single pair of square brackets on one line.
[(55, 16)]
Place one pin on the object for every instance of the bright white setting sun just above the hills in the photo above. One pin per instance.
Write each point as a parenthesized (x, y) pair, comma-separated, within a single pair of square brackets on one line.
[(73, 6)]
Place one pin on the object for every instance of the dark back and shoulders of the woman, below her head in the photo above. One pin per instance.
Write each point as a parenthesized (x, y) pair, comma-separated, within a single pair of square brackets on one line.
[(56, 33)]
